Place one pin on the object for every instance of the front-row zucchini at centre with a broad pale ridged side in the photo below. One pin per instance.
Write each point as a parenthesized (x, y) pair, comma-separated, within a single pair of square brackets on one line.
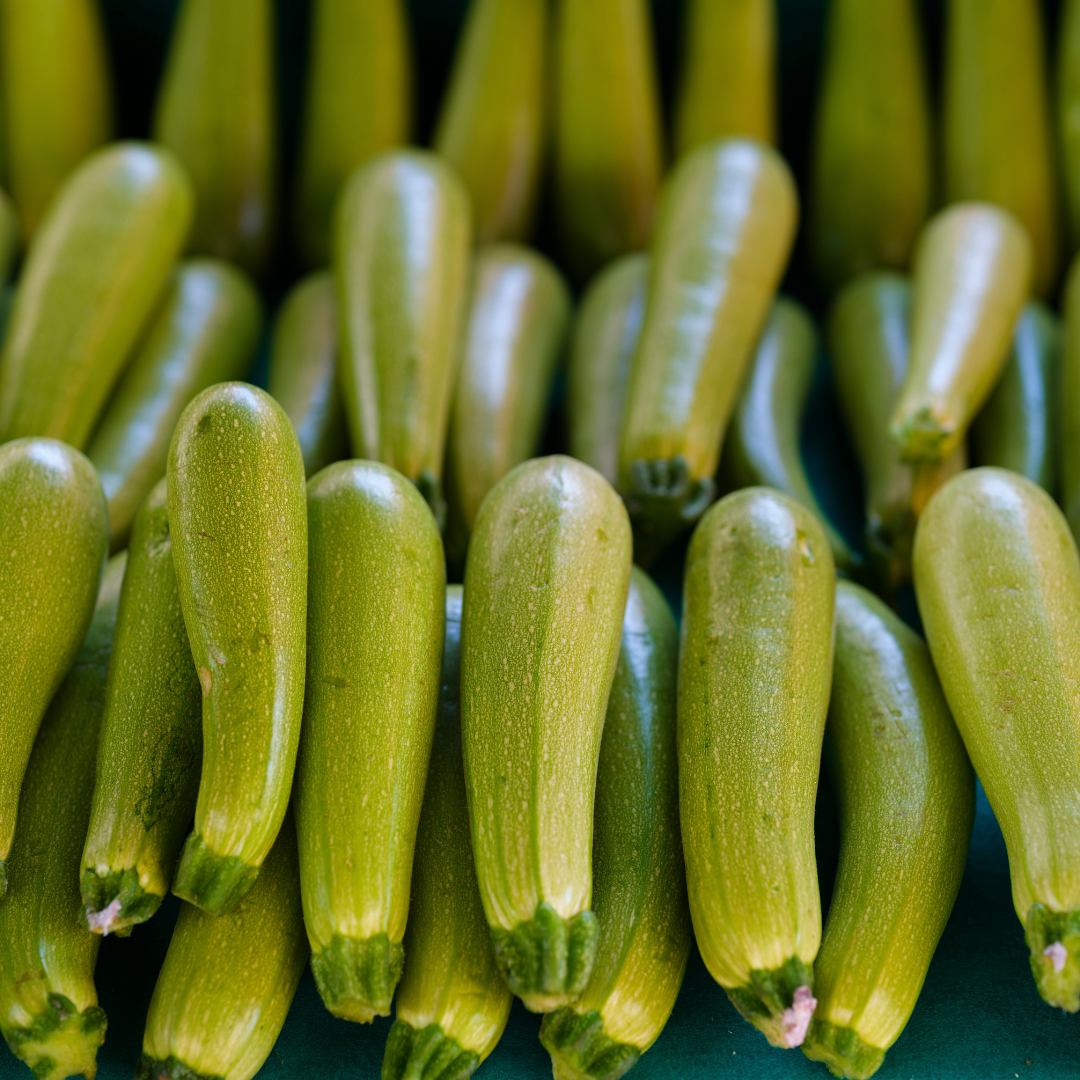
[(546, 587)]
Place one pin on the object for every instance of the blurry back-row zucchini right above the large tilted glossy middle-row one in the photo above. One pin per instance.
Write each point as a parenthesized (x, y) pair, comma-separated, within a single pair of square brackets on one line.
[(728, 83)]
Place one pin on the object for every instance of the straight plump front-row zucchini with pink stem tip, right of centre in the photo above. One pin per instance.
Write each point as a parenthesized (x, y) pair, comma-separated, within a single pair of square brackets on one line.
[(755, 668)]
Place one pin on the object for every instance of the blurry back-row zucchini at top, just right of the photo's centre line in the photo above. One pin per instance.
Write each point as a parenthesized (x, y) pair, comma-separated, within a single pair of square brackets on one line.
[(607, 141)]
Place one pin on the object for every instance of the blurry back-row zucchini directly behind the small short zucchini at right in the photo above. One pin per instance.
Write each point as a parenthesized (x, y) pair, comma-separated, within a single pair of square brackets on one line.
[(998, 144)]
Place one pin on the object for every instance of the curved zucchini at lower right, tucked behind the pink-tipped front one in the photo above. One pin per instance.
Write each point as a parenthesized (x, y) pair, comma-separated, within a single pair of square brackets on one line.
[(907, 799)]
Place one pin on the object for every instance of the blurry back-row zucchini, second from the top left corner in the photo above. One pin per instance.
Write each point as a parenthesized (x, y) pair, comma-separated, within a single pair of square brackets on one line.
[(215, 112)]
